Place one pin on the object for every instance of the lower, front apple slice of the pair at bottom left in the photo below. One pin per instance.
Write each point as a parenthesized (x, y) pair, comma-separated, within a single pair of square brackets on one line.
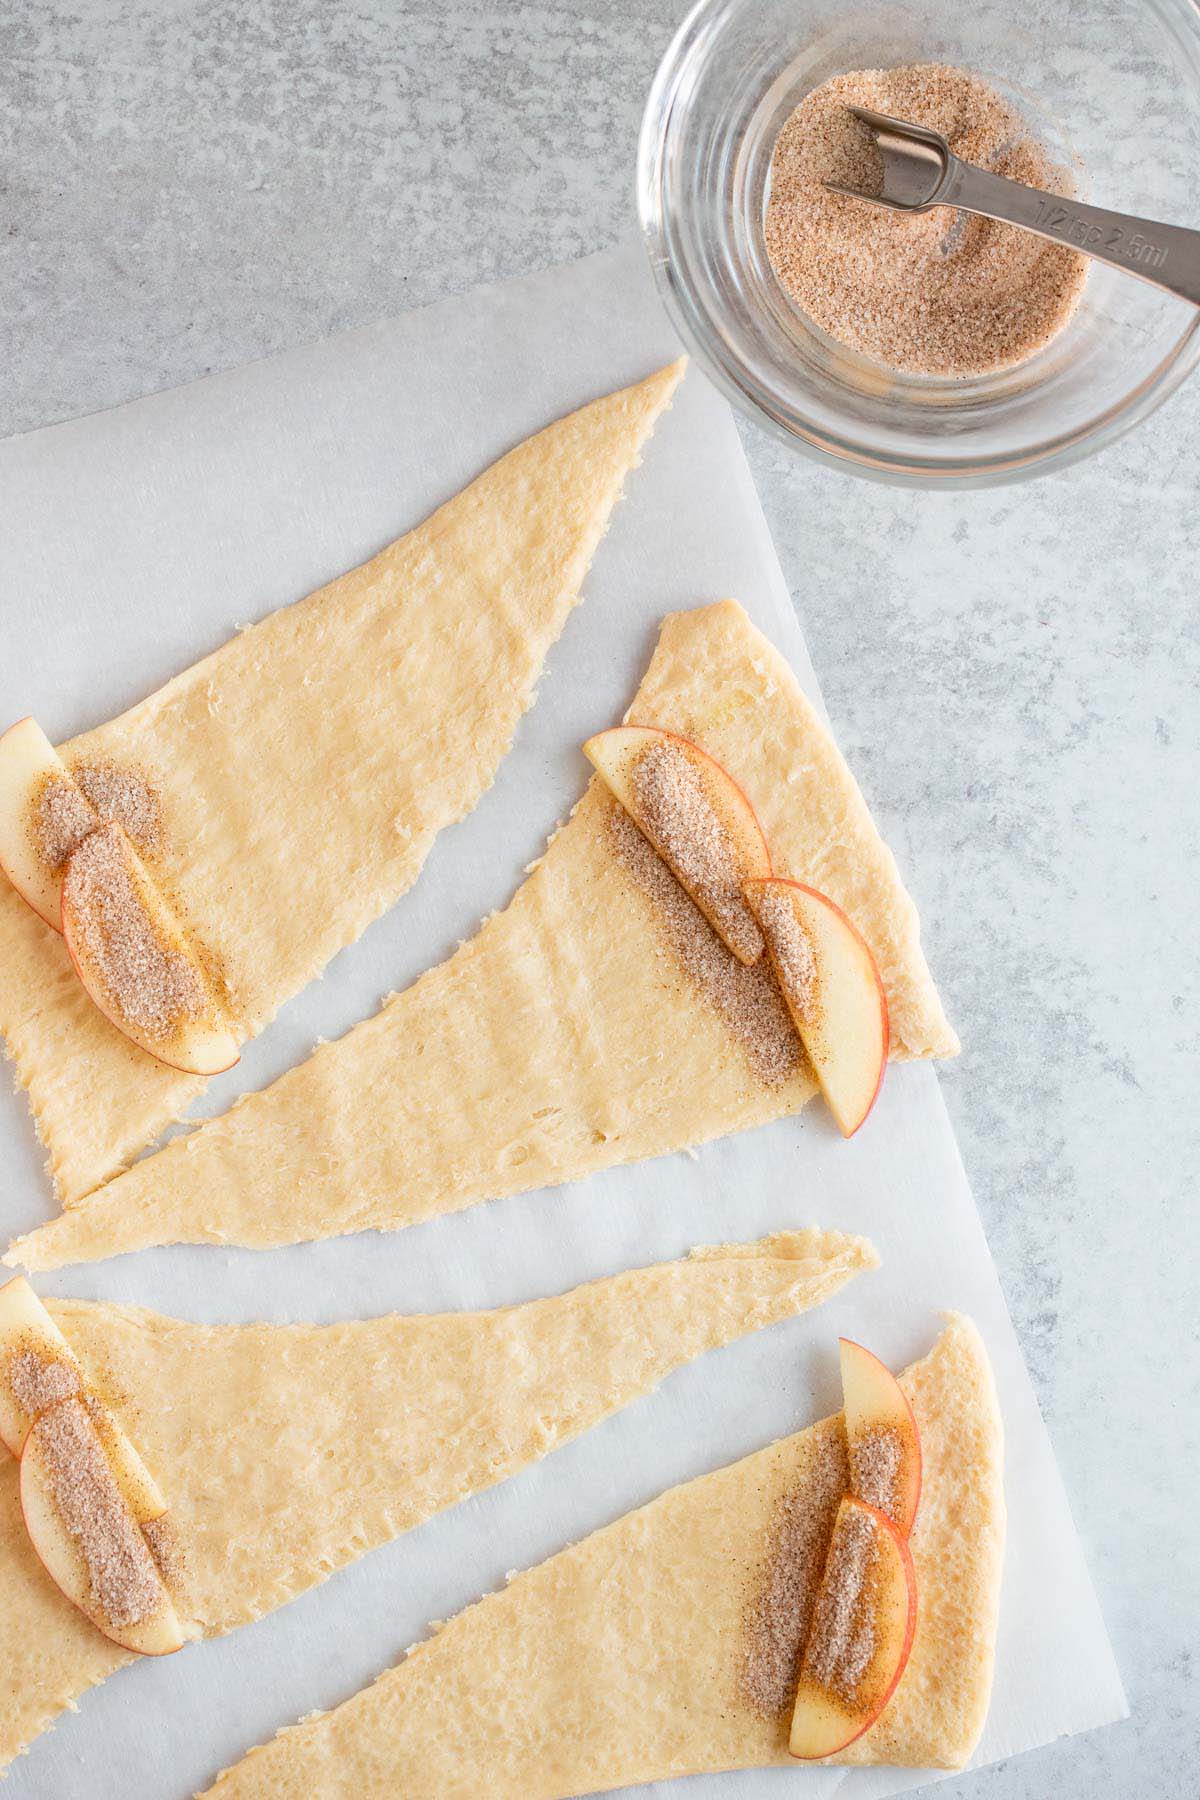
[(87, 1536)]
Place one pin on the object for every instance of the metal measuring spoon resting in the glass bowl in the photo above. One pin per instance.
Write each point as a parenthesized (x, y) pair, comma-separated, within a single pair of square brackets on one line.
[(922, 172)]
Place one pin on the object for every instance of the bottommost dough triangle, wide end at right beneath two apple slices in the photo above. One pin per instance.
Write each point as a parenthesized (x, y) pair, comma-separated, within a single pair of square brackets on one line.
[(629, 1657)]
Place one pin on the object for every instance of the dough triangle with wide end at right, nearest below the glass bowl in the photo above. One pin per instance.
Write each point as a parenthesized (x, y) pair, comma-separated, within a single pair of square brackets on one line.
[(560, 1039)]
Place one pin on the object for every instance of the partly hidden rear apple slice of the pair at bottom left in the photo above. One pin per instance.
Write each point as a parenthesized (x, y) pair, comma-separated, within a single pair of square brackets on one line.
[(37, 1371)]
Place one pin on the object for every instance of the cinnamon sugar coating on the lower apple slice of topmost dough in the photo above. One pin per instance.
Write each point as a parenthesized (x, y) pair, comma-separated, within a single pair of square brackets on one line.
[(154, 985)]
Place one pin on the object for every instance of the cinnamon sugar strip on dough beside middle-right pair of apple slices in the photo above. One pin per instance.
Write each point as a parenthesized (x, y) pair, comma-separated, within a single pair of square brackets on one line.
[(748, 1000)]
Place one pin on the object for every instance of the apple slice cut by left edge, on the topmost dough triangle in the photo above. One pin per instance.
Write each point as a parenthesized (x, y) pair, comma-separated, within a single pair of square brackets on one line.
[(42, 818)]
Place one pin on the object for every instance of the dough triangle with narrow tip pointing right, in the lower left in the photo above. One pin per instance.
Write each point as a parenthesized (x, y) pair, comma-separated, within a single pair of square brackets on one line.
[(238, 1423)]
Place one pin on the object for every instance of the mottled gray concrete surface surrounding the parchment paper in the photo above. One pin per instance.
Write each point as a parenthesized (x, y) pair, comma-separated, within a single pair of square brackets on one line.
[(193, 183)]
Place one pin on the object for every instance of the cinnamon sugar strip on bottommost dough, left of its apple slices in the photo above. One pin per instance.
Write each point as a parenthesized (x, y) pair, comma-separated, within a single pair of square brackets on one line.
[(782, 1608)]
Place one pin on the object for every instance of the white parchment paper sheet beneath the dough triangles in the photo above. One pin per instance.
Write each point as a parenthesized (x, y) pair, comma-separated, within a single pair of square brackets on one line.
[(138, 541)]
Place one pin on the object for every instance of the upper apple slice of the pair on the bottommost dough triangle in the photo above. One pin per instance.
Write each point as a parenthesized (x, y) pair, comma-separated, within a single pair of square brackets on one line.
[(882, 1437)]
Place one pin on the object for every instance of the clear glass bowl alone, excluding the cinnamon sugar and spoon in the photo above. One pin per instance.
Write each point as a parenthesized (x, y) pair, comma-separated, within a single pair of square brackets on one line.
[(1111, 87)]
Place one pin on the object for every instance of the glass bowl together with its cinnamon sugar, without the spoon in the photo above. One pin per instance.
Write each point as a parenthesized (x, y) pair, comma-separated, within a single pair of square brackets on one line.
[(960, 357)]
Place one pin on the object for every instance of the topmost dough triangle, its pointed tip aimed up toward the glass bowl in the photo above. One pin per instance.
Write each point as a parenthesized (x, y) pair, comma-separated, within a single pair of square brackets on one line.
[(361, 721)]
